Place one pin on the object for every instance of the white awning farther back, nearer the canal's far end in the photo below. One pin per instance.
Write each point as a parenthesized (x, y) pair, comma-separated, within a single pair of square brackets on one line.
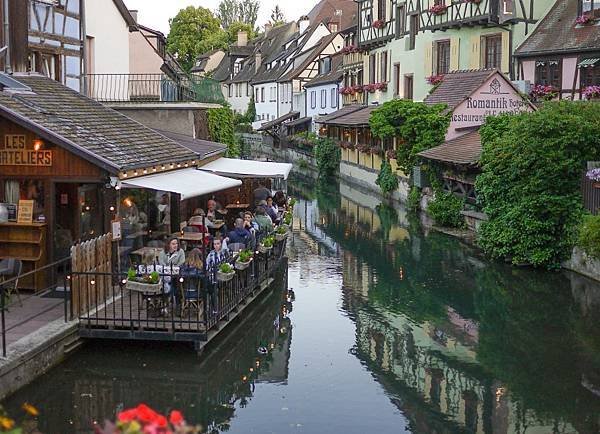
[(248, 168)]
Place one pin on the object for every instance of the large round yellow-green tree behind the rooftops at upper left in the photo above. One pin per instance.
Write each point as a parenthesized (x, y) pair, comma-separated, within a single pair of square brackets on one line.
[(192, 31)]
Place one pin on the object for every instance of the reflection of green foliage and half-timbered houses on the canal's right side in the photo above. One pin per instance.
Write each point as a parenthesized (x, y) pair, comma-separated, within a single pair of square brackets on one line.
[(462, 345)]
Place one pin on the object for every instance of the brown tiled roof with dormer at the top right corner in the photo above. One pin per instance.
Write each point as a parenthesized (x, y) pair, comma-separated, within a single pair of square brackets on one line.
[(558, 32)]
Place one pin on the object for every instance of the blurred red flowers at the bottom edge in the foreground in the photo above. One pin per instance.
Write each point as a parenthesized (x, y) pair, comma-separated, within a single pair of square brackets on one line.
[(143, 420)]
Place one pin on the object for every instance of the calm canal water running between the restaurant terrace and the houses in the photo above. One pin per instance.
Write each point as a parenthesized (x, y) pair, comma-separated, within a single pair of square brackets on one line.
[(384, 327)]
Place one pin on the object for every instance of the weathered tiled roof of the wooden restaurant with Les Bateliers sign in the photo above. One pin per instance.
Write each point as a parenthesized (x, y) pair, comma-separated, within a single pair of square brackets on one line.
[(88, 128)]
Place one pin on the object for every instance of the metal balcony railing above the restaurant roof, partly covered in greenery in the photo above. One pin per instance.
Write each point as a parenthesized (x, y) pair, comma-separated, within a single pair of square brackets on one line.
[(151, 88)]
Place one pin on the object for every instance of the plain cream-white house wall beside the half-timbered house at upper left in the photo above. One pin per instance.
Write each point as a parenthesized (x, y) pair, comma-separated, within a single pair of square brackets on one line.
[(106, 25)]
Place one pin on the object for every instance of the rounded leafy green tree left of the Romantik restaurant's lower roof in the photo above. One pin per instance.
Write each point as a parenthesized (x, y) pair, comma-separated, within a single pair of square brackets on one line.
[(417, 126)]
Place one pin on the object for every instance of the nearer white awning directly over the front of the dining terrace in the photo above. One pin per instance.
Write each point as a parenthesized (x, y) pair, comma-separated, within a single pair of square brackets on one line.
[(188, 182)]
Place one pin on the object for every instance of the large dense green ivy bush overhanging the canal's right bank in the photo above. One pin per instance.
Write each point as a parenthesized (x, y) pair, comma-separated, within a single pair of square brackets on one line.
[(530, 185)]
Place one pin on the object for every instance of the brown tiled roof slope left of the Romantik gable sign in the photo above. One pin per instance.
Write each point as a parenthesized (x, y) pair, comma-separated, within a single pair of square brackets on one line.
[(458, 86)]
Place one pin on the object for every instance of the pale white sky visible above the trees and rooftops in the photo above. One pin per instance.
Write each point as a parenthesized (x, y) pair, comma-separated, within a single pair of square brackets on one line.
[(156, 13)]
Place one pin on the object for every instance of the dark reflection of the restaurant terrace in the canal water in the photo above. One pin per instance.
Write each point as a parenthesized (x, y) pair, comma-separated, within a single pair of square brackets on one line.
[(208, 390)]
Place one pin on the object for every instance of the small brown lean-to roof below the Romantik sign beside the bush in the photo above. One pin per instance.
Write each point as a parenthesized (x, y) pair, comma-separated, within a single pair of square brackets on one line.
[(462, 150)]
